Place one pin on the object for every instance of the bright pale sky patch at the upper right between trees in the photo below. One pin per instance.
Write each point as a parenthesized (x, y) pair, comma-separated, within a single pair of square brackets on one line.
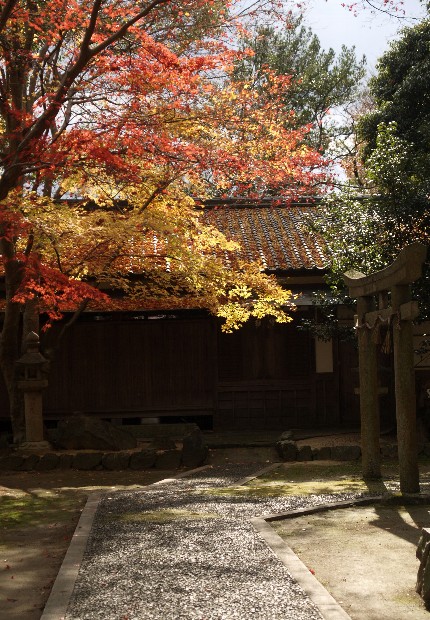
[(369, 32)]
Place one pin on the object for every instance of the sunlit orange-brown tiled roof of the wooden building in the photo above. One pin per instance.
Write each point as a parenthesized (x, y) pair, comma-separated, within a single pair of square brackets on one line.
[(278, 235)]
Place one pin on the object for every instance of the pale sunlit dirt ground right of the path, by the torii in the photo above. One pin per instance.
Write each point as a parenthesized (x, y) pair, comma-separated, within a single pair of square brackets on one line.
[(365, 557)]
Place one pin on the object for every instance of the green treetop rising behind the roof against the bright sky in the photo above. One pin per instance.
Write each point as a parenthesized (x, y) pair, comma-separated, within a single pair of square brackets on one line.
[(319, 81)]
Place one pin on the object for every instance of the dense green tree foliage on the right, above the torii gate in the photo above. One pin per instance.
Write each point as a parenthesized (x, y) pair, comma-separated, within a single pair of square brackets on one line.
[(367, 226)]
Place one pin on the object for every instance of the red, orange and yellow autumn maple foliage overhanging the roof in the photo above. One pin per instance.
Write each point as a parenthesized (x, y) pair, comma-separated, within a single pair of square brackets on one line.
[(113, 115)]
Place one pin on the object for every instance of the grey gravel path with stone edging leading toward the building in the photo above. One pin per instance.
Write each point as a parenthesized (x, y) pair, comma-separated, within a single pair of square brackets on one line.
[(177, 552)]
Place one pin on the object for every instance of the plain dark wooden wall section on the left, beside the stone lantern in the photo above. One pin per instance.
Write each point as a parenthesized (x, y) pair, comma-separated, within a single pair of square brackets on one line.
[(127, 364)]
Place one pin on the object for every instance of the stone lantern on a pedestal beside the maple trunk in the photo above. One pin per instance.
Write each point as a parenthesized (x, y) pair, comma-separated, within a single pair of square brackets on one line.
[(31, 374)]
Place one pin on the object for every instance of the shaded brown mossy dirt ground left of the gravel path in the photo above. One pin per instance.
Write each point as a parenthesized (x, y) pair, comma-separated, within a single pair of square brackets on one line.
[(36, 530)]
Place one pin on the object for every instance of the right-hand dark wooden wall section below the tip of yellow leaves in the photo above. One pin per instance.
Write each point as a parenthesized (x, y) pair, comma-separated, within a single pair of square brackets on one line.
[(267, 380)]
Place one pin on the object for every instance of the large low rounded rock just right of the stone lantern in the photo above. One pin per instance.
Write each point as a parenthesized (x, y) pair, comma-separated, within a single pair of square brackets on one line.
[(83, 432)]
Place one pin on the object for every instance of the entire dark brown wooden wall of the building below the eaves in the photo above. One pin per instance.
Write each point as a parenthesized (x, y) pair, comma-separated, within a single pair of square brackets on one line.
[(180, 364)]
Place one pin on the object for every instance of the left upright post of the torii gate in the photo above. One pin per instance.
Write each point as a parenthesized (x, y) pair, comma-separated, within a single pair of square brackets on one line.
[(369, 398)]
